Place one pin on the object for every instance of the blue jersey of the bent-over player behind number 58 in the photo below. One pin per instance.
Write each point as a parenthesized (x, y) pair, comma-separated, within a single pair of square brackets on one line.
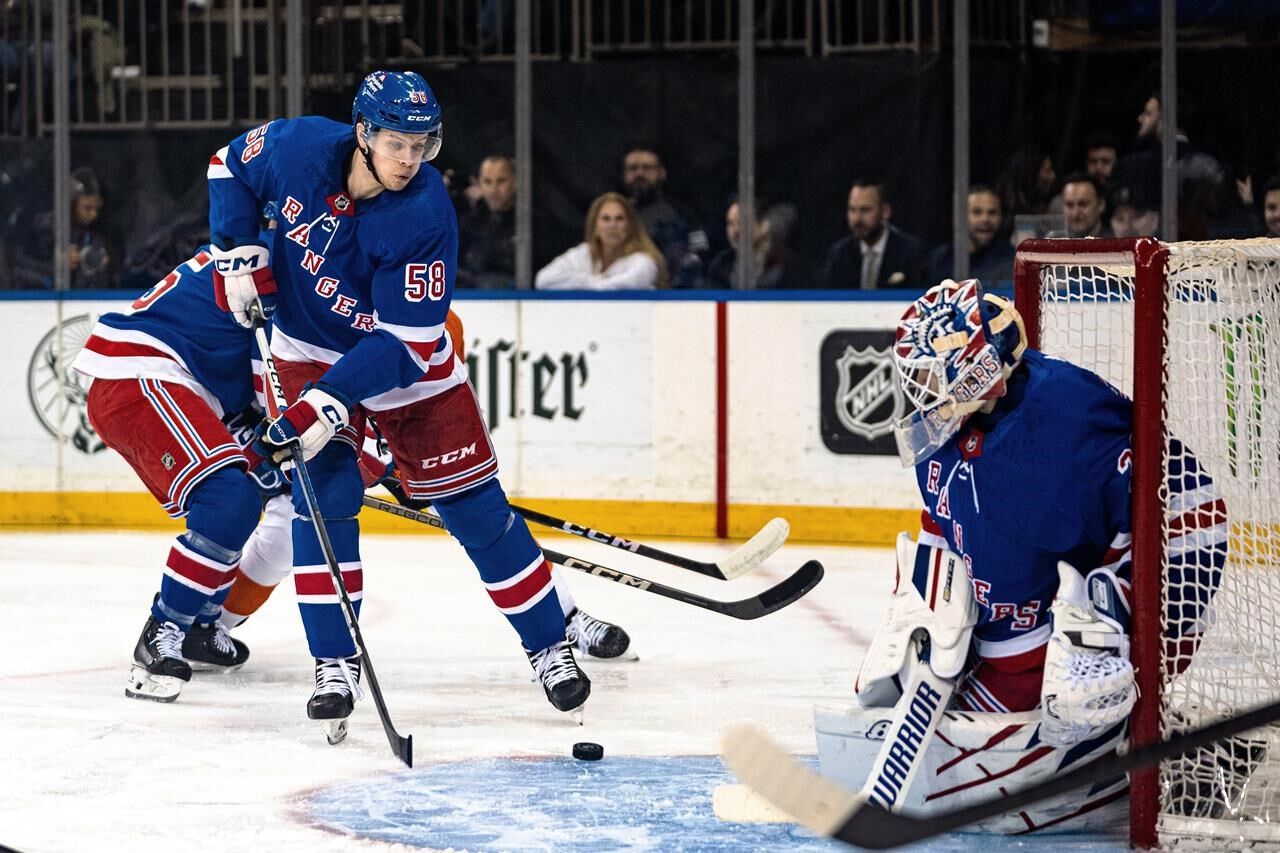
[(176, 332)]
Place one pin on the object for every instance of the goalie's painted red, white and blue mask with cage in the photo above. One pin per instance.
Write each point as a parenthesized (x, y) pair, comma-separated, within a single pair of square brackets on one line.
[(954, 350)]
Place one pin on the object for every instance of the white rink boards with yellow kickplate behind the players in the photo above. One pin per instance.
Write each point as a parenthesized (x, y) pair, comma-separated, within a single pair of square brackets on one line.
[(638, 416)]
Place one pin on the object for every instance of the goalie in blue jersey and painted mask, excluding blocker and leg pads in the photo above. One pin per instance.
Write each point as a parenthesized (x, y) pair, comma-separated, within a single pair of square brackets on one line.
[(1025, 466)]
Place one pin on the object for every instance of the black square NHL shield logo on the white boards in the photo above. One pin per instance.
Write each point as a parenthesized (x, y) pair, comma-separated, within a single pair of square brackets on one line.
[(861, 396)]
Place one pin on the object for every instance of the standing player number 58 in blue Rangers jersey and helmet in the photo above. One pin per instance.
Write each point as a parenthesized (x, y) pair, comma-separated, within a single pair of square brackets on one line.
[(364, 262)]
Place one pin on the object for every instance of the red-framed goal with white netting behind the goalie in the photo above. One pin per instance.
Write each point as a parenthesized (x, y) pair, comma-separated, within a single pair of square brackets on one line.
[(1192, 334)]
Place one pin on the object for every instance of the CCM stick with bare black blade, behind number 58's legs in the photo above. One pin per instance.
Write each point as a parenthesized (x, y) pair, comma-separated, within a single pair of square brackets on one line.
[(774, 599)]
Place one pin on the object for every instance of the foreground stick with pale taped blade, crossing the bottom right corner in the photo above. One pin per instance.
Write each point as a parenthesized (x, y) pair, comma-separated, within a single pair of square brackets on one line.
[(830, 809)]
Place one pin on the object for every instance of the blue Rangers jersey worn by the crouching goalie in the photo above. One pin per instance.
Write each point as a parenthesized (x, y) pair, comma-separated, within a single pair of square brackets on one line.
[(1044, 478)]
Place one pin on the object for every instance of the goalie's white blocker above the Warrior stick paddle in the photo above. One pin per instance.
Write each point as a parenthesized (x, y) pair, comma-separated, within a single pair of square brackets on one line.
[(949, 624)]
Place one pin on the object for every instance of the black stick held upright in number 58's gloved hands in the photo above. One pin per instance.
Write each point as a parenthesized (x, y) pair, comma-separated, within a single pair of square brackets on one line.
[(401, 746)]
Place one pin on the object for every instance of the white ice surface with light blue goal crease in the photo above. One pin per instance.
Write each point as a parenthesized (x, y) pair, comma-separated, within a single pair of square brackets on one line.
[(235, 765)]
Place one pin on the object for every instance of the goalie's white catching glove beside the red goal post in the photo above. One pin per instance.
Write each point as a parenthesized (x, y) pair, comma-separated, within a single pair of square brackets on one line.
[(1089, 679)]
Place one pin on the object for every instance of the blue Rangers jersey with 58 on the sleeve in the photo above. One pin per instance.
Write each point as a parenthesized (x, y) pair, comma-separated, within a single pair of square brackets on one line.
[(364, 285)]
